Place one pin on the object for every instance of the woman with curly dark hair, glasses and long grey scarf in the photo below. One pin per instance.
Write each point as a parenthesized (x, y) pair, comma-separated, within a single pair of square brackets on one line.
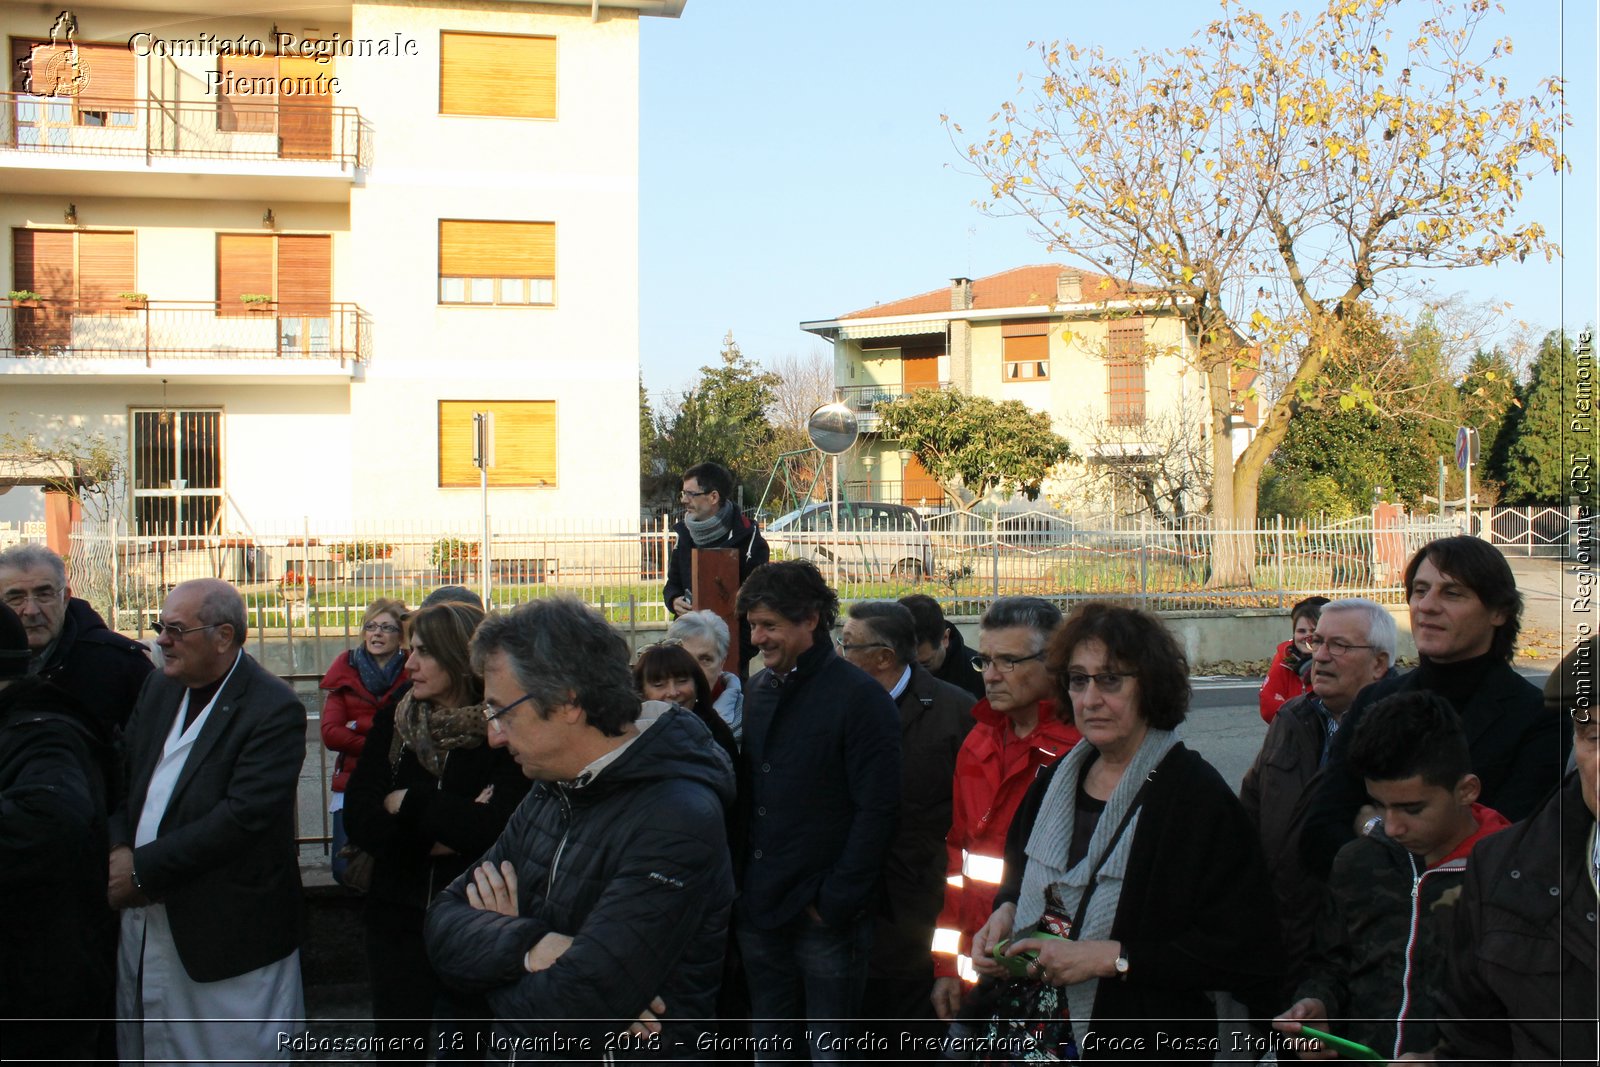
[(1134, 882)]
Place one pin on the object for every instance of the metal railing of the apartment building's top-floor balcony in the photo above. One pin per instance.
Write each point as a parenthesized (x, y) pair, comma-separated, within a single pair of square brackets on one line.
[(156, 129)]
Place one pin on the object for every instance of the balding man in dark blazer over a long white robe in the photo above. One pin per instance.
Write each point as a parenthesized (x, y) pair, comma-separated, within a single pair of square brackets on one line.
[(204, 860)]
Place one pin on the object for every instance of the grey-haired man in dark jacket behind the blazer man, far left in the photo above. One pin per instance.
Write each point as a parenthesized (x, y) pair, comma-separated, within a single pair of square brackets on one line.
[(70, 642)]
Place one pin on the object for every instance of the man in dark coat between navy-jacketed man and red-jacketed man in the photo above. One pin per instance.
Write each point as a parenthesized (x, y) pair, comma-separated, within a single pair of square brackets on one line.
[(881, 637)]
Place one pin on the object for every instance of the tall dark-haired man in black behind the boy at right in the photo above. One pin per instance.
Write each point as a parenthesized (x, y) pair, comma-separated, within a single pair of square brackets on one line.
[(1465, 618)]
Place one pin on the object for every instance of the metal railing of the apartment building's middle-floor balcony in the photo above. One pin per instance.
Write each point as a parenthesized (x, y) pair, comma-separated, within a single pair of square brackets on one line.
[(183, 330)]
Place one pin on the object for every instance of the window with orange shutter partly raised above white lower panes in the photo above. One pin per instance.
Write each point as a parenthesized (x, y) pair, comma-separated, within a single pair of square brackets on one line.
[(497, 263)]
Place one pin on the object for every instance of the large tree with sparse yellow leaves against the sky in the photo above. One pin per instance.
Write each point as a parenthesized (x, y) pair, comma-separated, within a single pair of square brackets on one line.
[(1266, 180)]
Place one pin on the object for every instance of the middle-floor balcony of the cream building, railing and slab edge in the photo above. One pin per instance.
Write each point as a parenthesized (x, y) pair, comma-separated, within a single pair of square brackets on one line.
[(194, 340)]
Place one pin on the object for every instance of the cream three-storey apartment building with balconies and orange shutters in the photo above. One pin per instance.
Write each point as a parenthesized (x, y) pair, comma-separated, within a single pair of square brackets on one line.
[(284, 257)]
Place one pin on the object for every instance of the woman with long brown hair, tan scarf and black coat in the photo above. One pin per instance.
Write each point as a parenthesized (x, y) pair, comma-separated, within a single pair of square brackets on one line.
[(426, 801)]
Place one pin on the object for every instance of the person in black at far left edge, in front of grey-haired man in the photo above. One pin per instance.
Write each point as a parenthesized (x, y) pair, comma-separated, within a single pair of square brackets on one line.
[(57, 933)]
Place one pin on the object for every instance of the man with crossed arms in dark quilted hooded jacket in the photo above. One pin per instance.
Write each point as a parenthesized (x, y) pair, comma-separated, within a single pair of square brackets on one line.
[(606, 901)]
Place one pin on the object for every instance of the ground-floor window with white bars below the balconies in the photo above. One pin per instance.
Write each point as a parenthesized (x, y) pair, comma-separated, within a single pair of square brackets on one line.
[(177, 473)]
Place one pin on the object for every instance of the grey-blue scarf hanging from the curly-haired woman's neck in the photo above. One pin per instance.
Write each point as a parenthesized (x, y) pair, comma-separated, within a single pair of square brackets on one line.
[(1047, 857)]
